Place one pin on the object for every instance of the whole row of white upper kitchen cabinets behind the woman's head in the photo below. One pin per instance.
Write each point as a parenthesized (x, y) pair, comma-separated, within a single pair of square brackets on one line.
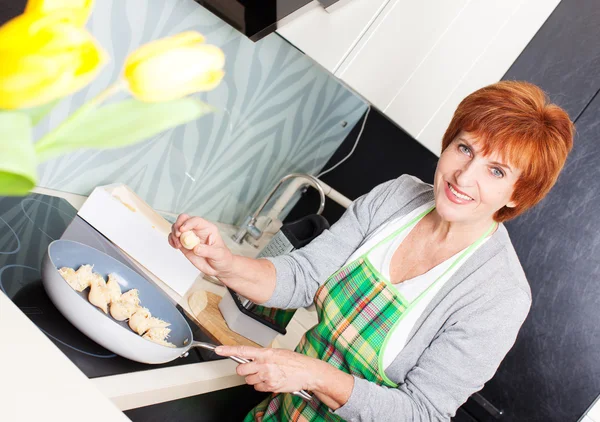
[(416, 60)]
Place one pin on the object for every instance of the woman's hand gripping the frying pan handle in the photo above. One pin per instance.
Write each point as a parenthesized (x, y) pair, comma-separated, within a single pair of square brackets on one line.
[(276, 370)]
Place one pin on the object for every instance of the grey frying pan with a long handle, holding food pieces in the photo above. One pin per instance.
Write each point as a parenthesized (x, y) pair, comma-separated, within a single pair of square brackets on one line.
[(114, 335)]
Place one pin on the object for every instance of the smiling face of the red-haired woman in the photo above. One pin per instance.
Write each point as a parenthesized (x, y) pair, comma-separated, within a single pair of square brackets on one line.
[(469, 186)]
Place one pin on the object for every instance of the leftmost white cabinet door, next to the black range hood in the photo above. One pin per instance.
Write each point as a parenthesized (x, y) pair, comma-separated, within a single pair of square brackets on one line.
[(327, 37)]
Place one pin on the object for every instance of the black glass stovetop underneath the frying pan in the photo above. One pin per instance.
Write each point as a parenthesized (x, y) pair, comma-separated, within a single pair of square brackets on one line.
[(27, 226)]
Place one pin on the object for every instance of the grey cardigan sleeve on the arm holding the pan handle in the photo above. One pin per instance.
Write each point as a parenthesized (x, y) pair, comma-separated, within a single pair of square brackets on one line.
[(458, 362)]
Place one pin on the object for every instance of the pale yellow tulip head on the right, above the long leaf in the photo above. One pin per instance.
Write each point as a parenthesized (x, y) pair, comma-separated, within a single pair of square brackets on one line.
[(174, 67)]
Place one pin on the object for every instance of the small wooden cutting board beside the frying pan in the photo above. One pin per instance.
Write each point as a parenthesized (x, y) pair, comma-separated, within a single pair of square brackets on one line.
[(205, 309)]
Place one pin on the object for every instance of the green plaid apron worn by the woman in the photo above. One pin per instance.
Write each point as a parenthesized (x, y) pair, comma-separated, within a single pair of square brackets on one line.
[(358, 309)]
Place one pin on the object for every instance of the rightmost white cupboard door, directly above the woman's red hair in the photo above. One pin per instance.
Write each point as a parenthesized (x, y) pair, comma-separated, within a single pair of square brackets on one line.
[(470, 39)]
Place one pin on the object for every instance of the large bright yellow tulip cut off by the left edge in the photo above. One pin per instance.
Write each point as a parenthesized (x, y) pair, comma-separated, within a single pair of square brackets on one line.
[(45, 57)]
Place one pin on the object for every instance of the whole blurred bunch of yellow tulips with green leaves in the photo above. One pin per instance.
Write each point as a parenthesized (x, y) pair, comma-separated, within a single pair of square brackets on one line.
[(46, 54)]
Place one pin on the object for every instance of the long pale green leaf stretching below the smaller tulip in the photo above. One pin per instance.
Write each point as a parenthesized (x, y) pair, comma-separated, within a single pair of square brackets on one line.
[(120, 124)]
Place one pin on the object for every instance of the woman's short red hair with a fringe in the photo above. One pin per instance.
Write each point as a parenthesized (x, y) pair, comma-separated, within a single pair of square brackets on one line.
[(517, 120)]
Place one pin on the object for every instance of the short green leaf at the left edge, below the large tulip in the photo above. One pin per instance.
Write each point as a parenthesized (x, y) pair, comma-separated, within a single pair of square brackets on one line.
[(17, 156)]
